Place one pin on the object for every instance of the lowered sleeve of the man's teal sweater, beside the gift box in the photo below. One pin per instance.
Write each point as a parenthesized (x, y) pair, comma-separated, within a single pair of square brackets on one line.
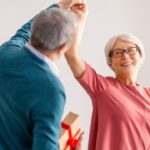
[(46, 117)]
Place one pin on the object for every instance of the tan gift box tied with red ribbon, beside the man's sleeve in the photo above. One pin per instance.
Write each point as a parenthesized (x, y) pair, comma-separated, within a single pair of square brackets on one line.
[(70, 132)]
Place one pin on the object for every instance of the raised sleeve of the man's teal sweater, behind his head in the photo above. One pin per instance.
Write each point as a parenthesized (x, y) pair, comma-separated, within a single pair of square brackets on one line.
[(23, 35)]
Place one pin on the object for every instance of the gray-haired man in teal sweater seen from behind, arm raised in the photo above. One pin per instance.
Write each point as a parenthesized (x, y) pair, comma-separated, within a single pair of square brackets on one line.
[(32, 97)]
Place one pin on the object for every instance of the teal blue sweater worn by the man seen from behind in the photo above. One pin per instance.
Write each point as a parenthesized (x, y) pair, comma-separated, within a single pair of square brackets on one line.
[(32, 98)]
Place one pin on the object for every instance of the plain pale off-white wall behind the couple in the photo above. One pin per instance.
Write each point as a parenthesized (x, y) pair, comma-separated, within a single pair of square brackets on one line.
[(105, 19)]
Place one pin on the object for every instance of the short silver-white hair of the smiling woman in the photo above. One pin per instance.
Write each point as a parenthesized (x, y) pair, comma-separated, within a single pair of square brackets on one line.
[(127, 37)]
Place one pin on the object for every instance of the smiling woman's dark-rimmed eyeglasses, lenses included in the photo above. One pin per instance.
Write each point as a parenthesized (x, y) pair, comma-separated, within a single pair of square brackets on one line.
[(120, 52)]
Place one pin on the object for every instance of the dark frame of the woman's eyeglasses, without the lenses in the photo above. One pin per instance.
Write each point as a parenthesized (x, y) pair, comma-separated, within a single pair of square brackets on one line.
[(123, 51)]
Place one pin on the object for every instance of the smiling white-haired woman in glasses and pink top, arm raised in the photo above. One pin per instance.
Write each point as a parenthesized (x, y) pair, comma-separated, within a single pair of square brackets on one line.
[(121, 107)]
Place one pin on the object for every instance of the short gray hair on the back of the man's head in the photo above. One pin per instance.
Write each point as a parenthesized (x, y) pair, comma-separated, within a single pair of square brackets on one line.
[(52, 28)]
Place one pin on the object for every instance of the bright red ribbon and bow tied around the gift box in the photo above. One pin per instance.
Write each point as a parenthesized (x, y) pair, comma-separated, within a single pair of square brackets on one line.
[(72, 142)]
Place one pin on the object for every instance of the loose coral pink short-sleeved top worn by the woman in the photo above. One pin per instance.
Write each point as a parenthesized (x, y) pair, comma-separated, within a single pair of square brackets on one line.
[(121, 113)]
